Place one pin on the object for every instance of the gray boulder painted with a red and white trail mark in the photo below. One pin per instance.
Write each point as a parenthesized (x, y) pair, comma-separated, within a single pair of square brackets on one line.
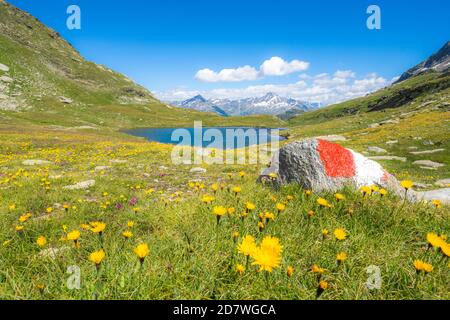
[(321, 165)]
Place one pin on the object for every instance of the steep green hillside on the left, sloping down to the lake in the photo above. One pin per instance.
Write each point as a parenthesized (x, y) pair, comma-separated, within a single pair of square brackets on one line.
[(51, 84)]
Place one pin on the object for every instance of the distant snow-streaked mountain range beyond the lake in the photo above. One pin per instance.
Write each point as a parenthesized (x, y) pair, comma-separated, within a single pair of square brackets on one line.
[(271, 104)]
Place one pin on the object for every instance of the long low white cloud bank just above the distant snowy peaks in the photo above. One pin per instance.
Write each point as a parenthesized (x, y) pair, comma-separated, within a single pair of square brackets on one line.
[(322, 88)]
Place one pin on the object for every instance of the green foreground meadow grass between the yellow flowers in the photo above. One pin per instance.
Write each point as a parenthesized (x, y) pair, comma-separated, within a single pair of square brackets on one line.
[(190, 256)]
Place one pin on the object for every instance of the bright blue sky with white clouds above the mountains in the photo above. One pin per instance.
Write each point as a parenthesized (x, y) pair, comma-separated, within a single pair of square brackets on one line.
[(164, 44)]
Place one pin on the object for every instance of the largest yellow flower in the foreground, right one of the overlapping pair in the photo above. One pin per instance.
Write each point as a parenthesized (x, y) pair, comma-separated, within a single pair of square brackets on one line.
[(268, 255)]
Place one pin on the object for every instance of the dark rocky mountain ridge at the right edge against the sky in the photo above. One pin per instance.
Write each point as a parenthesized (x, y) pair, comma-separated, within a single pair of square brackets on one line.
[(438, 62)]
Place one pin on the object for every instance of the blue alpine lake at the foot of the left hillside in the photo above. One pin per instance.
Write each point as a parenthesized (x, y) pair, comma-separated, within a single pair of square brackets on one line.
[(212, 137)]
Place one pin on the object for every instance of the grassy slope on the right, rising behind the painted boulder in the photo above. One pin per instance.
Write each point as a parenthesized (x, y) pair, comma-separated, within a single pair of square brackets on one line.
[(427, 117)]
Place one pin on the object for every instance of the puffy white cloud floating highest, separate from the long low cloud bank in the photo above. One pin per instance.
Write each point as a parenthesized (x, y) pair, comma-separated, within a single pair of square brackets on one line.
[(274, 66)]
